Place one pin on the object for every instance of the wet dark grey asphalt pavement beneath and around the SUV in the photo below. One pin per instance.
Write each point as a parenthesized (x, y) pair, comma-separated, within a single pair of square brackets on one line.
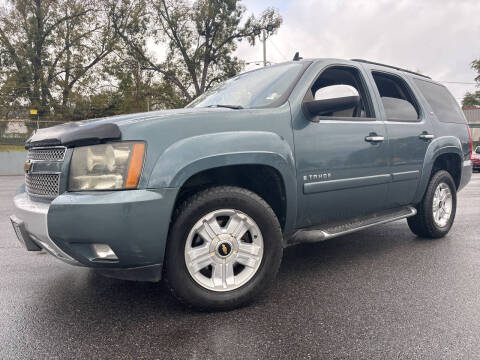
[(378, 294)]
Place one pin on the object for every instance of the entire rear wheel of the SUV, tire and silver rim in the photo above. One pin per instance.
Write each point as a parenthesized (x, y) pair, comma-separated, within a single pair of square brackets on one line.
[(436, 212)]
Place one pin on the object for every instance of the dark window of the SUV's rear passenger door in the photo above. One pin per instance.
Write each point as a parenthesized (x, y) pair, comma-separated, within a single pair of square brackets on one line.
[(397, 98)]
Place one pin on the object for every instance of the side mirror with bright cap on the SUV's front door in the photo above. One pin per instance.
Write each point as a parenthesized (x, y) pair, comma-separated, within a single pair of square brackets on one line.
[(331, 99)]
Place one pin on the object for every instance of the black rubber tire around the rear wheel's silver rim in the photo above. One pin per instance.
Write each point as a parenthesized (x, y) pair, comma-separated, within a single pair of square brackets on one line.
[(423, 223)]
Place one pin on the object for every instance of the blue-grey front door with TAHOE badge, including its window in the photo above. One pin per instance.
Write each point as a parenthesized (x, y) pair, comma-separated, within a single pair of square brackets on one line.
[(341, 157)]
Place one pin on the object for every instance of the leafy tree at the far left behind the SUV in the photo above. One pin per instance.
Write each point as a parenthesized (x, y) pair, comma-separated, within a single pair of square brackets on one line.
[(50, 46)]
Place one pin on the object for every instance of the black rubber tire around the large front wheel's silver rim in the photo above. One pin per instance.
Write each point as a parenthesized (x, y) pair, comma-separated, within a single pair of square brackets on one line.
[(177, 276)]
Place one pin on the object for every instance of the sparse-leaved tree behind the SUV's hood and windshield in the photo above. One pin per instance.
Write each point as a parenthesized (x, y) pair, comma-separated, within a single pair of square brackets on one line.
[(200, 38)]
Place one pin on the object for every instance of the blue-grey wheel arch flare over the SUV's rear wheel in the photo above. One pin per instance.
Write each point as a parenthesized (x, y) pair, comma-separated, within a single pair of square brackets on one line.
[(439, 146)]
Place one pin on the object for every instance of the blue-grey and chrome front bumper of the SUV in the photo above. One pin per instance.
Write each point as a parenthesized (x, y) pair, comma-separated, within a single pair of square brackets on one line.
[(133, 223)]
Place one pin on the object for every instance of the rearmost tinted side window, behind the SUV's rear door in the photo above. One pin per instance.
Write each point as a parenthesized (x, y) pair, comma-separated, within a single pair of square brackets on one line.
[(442, 102)]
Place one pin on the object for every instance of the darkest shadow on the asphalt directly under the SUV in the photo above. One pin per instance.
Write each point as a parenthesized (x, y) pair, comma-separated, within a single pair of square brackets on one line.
[(300, 263)]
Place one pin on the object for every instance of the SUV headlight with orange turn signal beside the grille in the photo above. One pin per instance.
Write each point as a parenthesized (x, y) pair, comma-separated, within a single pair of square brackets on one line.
[(108, 166)]
